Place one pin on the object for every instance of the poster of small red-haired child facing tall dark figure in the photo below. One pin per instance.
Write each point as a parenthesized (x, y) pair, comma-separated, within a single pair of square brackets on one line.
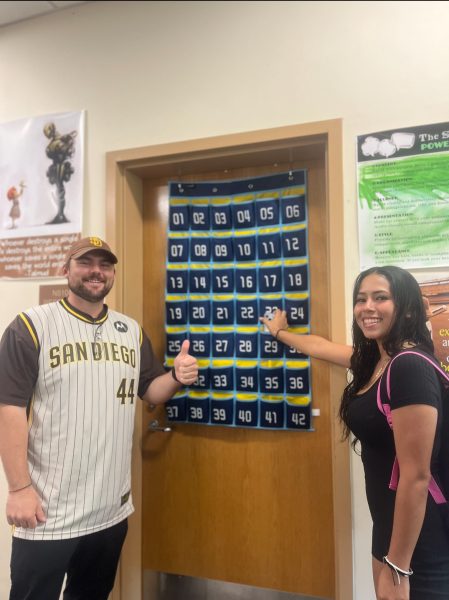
[(41, 193)]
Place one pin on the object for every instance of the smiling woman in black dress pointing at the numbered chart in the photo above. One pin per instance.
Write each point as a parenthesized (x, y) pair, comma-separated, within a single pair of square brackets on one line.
[(410, 544)]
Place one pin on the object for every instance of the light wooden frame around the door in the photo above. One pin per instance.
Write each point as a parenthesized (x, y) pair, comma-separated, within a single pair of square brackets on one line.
[(126, 170)]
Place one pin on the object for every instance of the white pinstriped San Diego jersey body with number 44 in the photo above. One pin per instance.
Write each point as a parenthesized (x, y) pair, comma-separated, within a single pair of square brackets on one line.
[(82, 419)]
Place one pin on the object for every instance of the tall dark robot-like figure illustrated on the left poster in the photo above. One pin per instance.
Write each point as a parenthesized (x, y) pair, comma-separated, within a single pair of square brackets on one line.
[(59, 150)]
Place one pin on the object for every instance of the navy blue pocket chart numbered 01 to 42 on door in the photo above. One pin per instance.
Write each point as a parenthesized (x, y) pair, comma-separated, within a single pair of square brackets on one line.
[(236, 251)]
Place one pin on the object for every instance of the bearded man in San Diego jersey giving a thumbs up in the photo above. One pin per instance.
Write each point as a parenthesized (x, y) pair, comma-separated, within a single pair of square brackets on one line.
[(70, 372)]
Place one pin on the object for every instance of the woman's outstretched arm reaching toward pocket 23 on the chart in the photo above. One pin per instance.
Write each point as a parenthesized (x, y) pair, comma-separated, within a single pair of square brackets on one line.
[(312, 345)]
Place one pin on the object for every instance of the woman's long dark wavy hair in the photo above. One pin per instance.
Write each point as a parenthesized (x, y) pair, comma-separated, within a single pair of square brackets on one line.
[(409, 326)]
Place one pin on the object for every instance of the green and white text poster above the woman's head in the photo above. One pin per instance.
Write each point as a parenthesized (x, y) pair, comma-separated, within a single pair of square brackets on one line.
[(403, 197)]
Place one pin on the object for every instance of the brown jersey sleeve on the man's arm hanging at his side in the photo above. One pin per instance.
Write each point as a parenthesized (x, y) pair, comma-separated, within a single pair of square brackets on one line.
[(19, 354)]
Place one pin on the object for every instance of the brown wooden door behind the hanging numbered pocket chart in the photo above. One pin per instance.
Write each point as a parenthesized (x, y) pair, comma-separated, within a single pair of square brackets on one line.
[(247, 506)]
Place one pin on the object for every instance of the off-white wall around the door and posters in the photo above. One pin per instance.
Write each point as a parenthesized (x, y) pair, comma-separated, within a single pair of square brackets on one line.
[(155, 72)]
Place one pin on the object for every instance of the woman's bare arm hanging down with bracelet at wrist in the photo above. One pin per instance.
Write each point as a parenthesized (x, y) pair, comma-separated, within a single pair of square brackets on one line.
[(414, 429)]
